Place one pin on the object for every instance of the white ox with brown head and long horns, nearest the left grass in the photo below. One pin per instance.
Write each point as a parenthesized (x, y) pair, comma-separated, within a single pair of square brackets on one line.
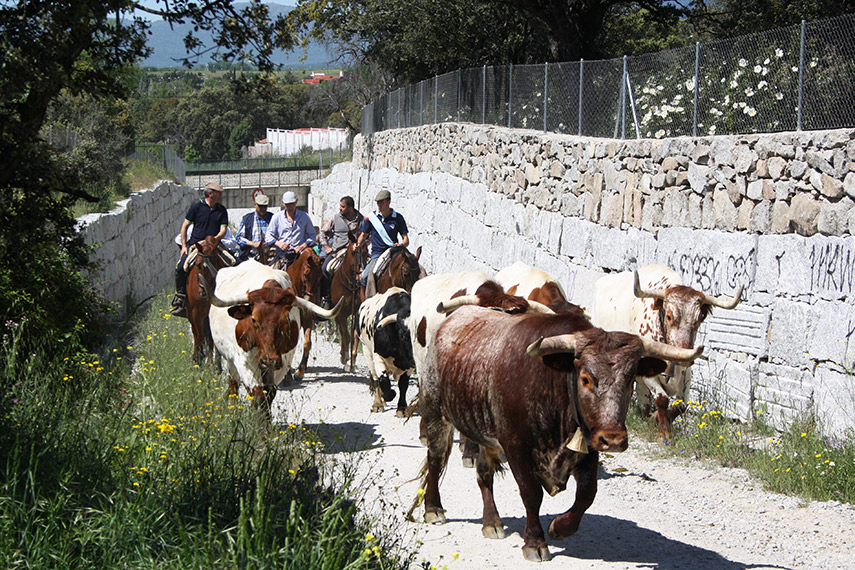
[(255, 323)]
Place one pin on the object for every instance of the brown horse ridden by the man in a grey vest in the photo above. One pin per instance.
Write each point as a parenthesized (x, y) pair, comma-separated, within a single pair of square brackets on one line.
[(345, 285)]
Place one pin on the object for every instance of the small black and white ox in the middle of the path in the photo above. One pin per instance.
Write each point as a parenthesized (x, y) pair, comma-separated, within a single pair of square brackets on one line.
[(382, 327)]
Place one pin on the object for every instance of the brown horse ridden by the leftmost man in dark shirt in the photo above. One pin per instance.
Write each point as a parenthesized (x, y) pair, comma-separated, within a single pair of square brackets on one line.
[(207, 263)]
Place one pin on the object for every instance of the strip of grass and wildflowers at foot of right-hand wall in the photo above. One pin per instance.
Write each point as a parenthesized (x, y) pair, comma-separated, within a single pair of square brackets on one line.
[(801, 462)]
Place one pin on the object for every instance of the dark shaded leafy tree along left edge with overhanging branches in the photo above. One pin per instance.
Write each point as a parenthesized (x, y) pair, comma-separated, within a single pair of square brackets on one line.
[(84, 47)]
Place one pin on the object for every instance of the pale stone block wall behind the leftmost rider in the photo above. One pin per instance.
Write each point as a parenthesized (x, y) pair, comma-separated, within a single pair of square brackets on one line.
[(133, 244)]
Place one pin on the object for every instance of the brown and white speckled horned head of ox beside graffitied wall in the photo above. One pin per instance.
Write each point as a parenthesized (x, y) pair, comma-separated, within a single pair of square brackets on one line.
[(682, 309)]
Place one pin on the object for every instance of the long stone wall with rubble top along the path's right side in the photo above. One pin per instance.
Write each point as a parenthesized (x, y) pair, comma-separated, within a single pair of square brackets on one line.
[(771, 212)]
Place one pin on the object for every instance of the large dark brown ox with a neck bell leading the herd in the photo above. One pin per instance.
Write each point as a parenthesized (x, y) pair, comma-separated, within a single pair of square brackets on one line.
[(548, 390)]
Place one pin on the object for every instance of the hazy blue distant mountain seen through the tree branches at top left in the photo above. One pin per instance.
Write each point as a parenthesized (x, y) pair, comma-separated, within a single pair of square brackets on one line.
[(168, 45)]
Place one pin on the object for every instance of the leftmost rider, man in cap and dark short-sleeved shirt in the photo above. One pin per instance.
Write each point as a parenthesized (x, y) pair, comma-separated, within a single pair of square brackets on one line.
[(209, 218)]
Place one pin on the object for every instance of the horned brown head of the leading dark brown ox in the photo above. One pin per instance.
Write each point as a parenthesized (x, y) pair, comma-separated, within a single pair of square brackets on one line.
[(602, 367)]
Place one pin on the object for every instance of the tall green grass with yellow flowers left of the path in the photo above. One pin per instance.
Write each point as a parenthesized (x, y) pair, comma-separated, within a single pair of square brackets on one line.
[(139, 459)]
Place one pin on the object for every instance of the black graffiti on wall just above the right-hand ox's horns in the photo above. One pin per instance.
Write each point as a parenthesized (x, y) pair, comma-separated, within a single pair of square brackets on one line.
[(715, 275)]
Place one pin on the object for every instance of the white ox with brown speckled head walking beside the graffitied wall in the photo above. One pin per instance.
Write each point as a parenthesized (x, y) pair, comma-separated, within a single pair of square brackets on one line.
[(652, 302)]
